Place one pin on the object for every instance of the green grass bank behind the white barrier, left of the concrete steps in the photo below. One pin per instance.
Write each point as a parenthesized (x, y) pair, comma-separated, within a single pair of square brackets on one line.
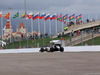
[(31, 43)]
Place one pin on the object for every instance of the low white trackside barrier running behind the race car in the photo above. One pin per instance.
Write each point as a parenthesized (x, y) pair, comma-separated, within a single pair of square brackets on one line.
[(66, 49)]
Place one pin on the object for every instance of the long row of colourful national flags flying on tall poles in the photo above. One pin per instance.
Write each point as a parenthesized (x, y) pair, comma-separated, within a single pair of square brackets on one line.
[(45, 17)]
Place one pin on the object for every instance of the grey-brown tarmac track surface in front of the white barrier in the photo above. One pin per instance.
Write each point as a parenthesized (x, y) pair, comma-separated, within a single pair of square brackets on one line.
[(57, 63)]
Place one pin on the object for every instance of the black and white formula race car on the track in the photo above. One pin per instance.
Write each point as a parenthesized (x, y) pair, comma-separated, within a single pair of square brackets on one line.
[(55, 46)]
